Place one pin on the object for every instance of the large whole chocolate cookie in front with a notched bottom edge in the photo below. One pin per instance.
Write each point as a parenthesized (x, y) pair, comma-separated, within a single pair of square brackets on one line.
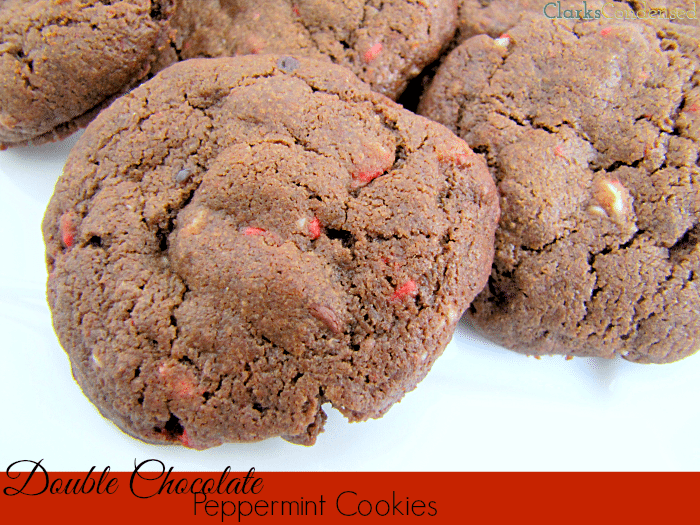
[(241, 240)]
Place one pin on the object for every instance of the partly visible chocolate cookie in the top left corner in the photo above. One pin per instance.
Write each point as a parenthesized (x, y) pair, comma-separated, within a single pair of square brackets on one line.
[(59, 60)]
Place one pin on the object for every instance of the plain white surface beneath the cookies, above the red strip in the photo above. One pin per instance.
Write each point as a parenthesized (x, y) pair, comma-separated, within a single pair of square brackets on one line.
[(480, 408)]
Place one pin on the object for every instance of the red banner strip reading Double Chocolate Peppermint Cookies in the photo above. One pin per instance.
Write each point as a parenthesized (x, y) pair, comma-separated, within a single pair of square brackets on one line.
[(155, 491)]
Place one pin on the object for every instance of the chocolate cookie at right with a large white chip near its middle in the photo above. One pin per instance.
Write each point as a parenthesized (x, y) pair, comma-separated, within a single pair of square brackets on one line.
[(592, 132)]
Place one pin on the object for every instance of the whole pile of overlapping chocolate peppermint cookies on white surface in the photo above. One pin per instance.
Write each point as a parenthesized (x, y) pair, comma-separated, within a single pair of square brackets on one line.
[(239, 240)]
